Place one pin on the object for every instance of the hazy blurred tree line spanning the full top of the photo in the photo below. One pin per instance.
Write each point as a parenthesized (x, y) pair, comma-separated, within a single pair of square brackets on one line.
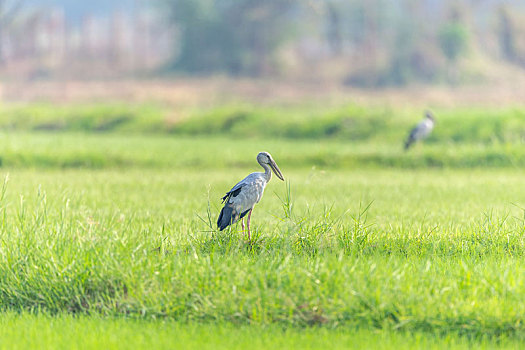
[(351, 43)]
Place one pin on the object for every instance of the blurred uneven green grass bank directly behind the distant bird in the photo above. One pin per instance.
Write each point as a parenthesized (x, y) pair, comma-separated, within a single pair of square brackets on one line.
[(351, 122)]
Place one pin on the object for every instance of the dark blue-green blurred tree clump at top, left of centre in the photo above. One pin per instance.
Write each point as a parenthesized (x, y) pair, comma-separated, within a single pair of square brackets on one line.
[(236, 36)]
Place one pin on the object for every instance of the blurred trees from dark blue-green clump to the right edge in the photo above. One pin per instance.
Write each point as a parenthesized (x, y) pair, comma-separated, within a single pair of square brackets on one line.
[(373, 42)]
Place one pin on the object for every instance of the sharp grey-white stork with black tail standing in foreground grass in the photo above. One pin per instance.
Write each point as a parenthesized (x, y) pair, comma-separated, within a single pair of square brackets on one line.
[(241, 199)]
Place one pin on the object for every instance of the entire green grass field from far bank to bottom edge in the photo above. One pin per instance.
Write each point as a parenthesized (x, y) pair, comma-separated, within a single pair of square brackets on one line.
[(107, 238)]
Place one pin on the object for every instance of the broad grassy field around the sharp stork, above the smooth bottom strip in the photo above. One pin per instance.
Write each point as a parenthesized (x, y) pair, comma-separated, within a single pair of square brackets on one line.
[(420, 258)]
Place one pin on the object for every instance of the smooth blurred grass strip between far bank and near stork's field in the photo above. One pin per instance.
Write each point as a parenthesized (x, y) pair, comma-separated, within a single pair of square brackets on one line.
[(95, 151)]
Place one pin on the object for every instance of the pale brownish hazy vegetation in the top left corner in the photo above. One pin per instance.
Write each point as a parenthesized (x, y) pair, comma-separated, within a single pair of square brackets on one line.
[(41, 42)]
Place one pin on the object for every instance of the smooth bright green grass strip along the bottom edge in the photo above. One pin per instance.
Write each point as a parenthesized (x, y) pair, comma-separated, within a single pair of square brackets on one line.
[(68, 332)]
